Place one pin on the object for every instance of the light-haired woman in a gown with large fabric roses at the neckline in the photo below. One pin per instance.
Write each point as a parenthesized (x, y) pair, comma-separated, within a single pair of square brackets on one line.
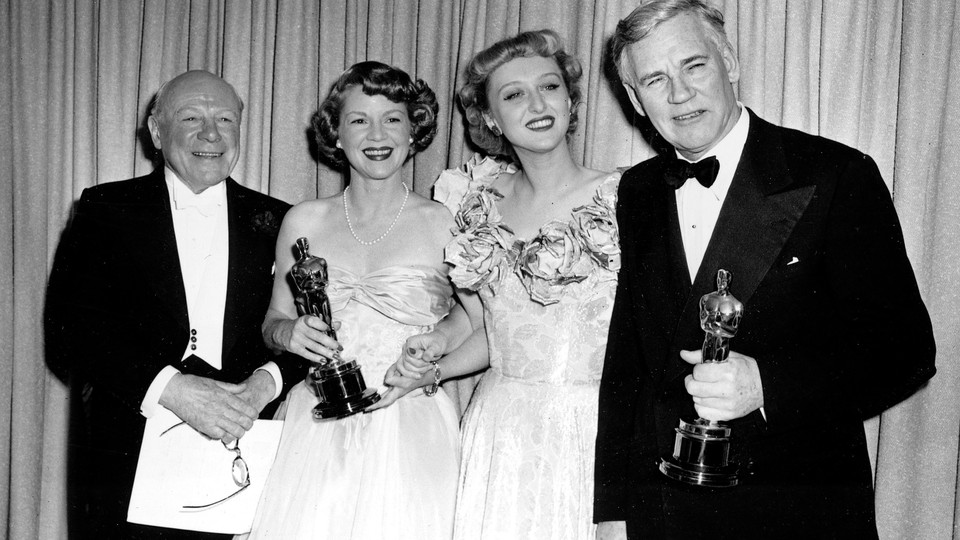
[(537, 240)]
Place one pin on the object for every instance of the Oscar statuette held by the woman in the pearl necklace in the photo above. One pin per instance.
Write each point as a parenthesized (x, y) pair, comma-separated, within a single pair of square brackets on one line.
[(338, 384)]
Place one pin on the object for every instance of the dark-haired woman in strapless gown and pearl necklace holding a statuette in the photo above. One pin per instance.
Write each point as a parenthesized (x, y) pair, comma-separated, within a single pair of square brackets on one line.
[(390, 472)]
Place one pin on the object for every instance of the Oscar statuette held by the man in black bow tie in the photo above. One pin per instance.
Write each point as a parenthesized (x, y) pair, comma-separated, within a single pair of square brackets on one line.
[(701, 450)]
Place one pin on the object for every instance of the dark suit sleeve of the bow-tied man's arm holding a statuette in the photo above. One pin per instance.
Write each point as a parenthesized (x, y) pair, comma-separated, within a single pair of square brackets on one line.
[(883, 346)]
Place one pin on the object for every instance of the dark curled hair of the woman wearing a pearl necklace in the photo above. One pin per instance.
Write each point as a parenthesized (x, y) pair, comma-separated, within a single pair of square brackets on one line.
[(376, 78)]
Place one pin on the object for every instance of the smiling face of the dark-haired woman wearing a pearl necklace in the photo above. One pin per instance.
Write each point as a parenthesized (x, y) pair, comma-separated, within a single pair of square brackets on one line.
[(374, 134)]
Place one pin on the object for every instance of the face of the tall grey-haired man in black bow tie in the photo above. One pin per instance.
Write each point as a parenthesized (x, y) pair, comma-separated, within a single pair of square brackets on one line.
[(679, 77)]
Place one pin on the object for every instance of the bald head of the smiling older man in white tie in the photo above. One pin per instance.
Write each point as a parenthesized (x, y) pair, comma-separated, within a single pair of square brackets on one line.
[(197, 127)]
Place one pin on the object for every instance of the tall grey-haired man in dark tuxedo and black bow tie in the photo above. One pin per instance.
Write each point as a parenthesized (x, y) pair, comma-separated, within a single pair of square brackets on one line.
[(834, 330)]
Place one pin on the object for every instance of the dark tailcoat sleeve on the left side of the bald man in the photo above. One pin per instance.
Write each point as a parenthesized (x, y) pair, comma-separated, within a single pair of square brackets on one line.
[(90, 326)]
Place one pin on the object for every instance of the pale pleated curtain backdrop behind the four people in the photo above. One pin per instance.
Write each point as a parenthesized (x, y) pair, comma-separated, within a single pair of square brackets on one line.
[(78, 76)]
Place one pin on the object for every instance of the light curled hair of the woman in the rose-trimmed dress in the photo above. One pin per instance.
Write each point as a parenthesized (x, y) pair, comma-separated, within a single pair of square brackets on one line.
[(473, 95)]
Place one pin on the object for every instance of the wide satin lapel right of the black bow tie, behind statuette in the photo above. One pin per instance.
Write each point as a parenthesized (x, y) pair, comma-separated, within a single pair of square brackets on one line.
[(761, 209)]
